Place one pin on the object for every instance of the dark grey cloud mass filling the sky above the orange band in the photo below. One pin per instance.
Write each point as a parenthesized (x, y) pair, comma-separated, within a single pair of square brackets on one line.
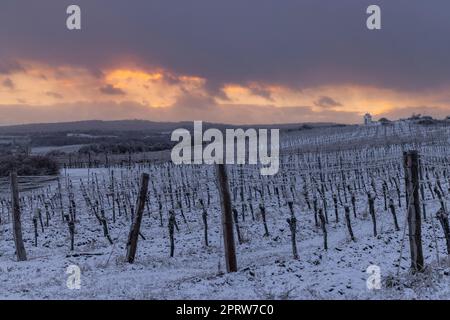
[(297, 43)]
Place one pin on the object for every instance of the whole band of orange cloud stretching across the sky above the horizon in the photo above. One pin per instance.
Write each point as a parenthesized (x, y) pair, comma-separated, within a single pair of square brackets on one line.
[(41, 86)]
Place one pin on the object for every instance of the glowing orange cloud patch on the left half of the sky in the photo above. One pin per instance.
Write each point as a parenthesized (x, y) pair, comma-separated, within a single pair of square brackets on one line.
[(153, 88)]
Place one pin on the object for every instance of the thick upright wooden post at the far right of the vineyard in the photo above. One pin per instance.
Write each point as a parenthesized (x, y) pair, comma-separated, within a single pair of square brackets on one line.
[(411, 165)]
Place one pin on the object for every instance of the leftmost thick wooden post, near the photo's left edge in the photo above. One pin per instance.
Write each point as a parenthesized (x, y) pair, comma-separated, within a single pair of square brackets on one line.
[(17, 226)]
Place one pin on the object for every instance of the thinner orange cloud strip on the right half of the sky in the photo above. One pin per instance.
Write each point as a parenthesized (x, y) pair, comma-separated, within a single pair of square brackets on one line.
[(347, 98)]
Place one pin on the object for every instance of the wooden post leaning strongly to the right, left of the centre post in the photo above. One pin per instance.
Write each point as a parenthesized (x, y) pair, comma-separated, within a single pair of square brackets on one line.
[(136, 225)]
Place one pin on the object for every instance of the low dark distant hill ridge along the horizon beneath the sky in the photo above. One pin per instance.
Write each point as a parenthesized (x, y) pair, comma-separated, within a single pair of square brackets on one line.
[(135, 125)]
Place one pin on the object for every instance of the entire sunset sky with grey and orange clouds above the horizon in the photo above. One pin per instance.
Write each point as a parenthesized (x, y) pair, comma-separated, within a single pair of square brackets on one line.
[(234, 61)]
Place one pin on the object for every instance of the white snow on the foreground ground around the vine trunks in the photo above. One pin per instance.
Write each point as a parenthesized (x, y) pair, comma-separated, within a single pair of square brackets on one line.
[(266, 267)]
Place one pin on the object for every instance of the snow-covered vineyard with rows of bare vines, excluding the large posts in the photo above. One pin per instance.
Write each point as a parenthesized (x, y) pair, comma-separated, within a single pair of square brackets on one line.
[(337, 207)]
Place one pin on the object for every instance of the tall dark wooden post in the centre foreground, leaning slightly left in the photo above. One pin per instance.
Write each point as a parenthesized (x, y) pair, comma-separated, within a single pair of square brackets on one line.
[(227, 218)]
